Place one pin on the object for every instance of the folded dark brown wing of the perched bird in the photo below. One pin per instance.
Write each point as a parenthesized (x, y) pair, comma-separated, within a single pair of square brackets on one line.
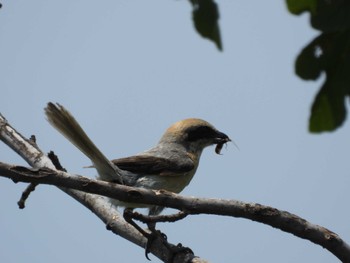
[(143, 164)]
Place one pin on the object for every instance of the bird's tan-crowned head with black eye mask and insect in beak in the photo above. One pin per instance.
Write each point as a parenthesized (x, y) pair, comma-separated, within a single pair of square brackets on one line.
[(195, 135)]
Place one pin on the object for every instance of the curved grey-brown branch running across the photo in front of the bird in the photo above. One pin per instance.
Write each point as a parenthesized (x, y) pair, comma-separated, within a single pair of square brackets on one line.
[(264, 214)]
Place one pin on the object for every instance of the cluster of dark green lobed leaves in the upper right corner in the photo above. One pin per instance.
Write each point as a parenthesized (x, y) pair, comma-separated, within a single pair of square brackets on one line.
[(328, 53)]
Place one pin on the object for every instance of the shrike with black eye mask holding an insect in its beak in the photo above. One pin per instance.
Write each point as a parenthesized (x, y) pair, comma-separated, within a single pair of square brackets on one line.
[(170, 165)]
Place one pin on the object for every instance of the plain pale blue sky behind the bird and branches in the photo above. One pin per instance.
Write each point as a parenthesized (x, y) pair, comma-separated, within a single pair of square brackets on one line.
[(129, 69)]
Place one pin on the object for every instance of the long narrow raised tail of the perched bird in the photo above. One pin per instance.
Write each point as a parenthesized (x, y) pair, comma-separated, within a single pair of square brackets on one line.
[(65, 123)]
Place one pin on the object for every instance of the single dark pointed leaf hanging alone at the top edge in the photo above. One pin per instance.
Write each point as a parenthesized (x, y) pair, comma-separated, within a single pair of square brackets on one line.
[(205, 16)]
